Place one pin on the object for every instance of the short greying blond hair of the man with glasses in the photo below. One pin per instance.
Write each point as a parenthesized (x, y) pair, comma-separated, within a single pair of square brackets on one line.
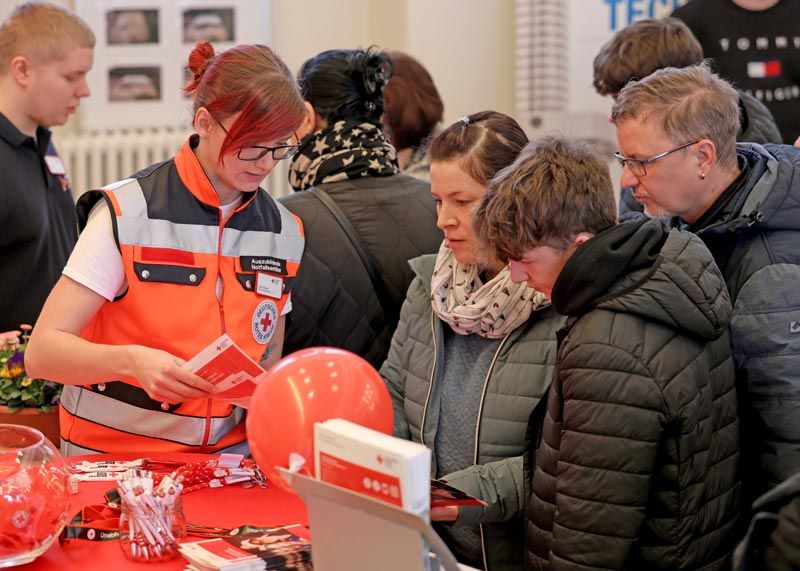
[(687, 104)]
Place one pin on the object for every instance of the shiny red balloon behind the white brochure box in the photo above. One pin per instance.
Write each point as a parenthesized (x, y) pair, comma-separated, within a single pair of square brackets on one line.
[(309, 386)]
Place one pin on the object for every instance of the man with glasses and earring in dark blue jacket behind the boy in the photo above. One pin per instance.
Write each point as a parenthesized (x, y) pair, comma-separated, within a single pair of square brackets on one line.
[(676, 133)]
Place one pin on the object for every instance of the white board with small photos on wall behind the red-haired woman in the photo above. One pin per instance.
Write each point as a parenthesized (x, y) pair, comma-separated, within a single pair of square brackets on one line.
[(141, 52)]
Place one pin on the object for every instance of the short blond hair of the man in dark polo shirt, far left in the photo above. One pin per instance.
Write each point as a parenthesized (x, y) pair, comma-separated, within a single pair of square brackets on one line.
[(41, 32)]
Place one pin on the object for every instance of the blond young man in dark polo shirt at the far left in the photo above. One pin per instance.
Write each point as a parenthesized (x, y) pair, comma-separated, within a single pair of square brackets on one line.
[(45, 54)]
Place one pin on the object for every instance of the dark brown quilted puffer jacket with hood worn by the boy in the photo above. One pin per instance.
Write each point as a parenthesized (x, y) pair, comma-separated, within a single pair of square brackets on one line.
[(635, 462)]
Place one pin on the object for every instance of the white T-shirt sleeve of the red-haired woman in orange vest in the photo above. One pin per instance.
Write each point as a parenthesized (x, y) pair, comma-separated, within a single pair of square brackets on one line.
[(96, 261)]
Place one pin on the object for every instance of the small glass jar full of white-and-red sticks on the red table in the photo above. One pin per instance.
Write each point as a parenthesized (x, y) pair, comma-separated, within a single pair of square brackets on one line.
[(151, 535)]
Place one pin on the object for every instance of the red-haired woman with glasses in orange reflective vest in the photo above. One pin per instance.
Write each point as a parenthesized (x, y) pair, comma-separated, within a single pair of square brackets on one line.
[(169, 260)]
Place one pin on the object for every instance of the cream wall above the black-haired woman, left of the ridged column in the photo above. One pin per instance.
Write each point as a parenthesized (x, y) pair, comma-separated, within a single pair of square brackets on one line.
[(467, 45)]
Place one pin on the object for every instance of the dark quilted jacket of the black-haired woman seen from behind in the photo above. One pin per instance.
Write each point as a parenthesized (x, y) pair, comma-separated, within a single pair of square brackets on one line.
[(333, 301)]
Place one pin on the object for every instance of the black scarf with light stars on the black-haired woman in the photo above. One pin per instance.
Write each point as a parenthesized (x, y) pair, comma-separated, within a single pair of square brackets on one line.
[(347, 149)]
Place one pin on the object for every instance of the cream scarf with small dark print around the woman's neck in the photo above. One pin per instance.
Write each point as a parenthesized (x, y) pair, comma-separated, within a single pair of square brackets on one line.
[(491, 310)]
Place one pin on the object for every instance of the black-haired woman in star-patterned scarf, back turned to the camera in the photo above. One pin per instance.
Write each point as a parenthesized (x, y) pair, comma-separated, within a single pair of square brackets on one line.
[(345, 154)]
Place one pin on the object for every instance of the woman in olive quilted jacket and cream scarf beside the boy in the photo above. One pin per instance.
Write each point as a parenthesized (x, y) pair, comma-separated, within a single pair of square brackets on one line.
[(473, 352)]
